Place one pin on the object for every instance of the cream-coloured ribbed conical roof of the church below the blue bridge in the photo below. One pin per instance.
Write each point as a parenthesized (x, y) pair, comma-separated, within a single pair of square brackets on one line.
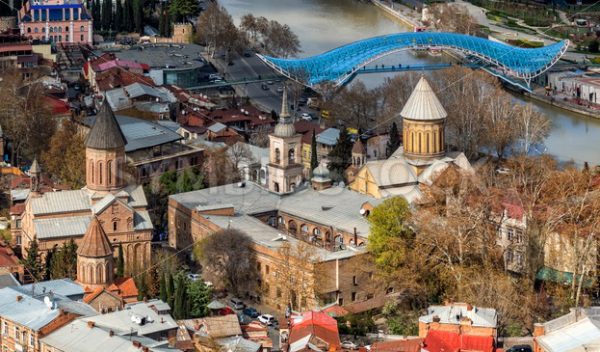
[(423, 104)]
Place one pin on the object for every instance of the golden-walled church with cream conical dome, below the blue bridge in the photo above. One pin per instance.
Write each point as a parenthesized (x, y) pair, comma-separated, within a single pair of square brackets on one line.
[(422, 156)]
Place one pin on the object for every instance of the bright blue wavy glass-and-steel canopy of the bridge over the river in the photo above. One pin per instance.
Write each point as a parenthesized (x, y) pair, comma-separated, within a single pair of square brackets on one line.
[(339, 64)]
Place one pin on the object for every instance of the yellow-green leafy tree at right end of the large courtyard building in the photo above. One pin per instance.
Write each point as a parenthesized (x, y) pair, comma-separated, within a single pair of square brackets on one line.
[(389, 235)]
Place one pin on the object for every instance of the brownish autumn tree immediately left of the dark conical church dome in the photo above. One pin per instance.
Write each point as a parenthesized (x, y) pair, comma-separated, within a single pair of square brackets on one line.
[(65, 157)]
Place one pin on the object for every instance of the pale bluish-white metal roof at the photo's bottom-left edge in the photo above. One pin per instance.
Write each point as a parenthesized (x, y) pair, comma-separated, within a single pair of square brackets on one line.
[(28, 311)]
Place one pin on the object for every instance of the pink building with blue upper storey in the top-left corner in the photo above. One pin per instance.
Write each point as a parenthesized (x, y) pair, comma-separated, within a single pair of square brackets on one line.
[(57, 21)]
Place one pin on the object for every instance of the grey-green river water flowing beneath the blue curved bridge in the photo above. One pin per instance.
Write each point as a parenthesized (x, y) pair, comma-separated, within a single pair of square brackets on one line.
[(322, 25)]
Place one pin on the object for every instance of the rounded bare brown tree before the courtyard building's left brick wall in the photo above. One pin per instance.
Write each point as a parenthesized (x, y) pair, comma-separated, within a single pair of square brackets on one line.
[(228, 260)]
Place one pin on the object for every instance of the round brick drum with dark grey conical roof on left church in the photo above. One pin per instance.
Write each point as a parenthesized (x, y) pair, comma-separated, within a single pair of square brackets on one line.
[(105, 153)]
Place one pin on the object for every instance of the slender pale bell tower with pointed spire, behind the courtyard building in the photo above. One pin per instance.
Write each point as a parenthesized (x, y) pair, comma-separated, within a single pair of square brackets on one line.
[(285, 146)]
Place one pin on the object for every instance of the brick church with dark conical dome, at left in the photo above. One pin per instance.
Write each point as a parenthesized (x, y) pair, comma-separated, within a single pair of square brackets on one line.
[(107, 204)]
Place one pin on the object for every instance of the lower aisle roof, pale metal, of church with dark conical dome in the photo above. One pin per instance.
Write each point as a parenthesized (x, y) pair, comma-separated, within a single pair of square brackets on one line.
[(61, 227)]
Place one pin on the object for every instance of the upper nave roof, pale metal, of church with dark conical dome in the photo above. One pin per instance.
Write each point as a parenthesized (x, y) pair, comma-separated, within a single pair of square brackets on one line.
[(60, 202)]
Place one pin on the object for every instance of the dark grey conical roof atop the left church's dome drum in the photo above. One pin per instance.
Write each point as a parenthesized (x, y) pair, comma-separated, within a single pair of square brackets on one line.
[(106, 133)]
